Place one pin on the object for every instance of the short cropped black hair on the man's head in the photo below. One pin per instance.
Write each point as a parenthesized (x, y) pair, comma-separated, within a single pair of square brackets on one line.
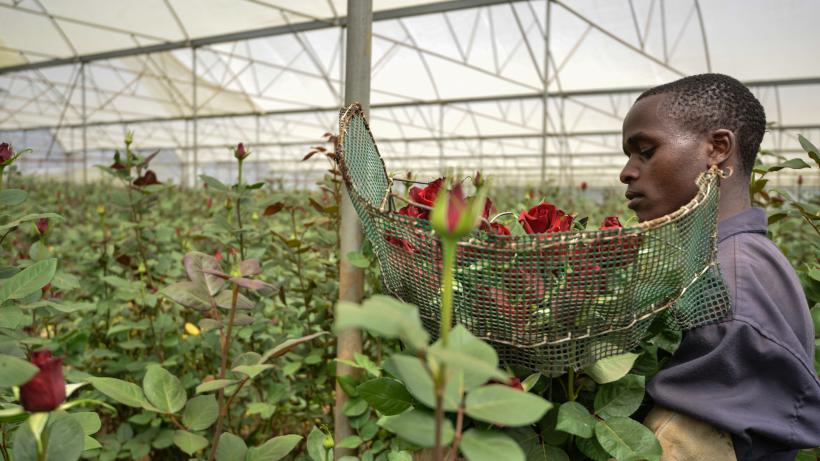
[(706, 102)]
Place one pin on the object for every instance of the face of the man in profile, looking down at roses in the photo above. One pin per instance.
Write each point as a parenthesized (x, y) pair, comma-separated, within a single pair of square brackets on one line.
[(663, 160)]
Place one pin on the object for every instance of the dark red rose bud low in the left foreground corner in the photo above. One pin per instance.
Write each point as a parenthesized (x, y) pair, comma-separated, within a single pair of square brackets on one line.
[(46, 390)]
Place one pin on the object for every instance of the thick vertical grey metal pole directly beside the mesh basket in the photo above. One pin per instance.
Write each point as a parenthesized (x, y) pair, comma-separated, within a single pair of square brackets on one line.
[(351, 279)]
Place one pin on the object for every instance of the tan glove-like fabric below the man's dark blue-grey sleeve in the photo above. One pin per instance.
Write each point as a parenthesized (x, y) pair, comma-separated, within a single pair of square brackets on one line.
[(687, 439)]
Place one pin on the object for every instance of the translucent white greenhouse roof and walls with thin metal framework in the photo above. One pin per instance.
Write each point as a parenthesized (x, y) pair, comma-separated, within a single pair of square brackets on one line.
[(455, 84)]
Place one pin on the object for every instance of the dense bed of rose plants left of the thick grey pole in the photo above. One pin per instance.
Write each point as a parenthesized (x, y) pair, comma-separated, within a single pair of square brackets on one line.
[(166, 349)]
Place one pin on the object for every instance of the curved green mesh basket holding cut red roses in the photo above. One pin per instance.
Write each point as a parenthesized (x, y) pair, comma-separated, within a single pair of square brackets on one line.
[(546, 302)]
